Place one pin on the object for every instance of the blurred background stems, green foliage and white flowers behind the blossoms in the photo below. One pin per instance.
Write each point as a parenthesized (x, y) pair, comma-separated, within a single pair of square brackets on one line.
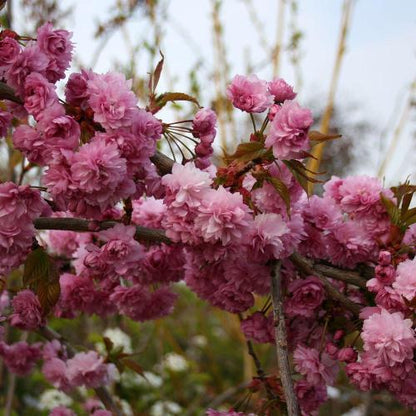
[(197, 358)]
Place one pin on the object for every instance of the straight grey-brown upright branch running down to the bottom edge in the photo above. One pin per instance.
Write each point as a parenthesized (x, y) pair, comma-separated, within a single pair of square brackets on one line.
[(281, 342)]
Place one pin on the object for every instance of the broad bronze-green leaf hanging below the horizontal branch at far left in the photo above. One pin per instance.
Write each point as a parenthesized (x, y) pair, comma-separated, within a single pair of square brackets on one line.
[(41, 275)]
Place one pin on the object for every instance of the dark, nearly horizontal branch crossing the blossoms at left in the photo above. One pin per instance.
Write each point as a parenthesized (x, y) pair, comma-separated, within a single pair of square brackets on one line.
[(149, 235)]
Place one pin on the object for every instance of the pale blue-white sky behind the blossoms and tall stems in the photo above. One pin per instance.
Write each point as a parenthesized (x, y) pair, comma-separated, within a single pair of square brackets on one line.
[(378, 67)]
